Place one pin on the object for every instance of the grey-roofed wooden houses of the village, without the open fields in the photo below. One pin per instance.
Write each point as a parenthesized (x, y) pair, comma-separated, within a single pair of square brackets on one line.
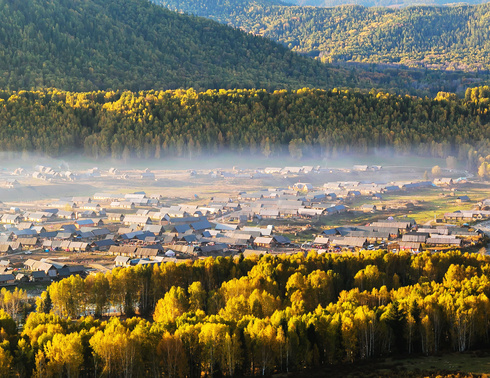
[(137, 228)]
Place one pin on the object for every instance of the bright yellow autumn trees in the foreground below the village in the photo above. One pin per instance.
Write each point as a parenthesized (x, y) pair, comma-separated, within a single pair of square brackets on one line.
[(244, 317)]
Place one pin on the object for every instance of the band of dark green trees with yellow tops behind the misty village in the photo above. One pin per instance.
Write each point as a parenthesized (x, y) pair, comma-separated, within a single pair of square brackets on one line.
[(182, 123)]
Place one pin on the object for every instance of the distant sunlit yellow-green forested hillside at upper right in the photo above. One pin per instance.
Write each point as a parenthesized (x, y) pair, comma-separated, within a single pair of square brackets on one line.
[(435, 37)]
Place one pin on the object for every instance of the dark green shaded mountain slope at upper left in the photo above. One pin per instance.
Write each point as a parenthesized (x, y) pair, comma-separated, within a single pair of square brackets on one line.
[(133, 44)]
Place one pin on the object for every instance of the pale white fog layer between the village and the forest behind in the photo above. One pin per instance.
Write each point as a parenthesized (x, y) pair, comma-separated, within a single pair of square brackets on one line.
[(39, 178)]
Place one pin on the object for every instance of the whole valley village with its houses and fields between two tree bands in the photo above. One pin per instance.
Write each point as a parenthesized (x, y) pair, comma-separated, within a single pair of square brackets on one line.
[(49, 239)]
